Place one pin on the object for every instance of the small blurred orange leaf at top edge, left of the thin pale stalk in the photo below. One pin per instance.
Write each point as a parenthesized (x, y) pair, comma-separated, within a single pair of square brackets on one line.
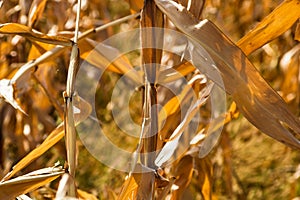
[(36, 11)]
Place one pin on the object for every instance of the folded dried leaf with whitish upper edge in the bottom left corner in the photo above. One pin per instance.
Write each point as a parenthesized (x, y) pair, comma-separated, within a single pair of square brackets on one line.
[(29, 182)]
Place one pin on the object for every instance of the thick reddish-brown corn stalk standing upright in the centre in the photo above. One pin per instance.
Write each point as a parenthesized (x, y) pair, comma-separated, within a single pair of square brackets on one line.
[(152, 41)]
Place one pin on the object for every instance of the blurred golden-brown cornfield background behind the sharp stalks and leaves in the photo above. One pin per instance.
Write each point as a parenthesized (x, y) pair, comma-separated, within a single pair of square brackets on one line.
[(246, 163)]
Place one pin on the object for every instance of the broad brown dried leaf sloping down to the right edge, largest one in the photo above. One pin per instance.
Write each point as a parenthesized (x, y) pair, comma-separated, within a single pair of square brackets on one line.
[(259, 103)]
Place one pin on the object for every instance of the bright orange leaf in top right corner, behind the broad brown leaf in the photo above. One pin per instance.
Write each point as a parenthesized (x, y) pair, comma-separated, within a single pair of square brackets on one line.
[(272, 26)]
